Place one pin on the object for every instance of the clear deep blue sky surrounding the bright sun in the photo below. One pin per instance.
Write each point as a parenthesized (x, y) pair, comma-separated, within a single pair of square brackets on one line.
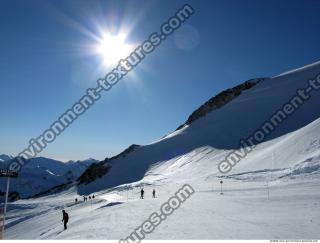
[(47, 62)]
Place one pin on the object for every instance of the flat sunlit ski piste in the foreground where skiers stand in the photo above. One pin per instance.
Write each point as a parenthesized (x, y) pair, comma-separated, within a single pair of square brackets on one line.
[(242, 212)]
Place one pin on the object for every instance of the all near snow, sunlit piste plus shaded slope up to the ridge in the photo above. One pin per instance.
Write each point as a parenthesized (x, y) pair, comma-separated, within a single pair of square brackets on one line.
[(273, 193)]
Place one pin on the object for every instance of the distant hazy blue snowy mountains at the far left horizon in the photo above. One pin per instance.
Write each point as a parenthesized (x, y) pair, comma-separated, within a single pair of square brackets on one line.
[(41, 174)]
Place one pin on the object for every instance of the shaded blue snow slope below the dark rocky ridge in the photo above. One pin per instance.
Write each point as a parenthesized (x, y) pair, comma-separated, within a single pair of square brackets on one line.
[(221, 128)]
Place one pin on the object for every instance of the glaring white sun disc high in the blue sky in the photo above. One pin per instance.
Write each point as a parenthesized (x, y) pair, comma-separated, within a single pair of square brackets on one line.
[(113, 48)]
